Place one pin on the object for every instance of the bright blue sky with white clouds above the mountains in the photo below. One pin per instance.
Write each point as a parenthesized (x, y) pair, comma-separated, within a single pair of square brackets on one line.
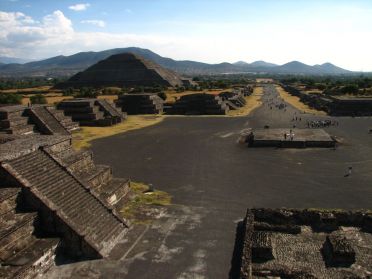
[(277, 31)]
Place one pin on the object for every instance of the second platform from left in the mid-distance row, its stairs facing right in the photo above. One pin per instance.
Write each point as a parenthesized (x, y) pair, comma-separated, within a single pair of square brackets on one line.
[(92, 112)]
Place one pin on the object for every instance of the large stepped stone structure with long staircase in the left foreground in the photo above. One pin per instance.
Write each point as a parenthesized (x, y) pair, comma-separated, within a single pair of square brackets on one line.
[(53, 201)]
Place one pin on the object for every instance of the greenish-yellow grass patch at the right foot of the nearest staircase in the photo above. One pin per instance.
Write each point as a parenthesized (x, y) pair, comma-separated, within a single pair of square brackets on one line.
[(143, 207)]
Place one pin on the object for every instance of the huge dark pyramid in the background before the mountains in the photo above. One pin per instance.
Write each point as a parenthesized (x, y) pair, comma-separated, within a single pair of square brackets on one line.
[(123, 70)]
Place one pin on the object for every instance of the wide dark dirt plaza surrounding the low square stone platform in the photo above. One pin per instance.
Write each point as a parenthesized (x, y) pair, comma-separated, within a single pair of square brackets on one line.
[(213, 180)]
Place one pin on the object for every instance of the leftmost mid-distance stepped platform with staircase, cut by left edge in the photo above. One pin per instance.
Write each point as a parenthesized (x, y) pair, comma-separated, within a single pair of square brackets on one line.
[(23, 120)]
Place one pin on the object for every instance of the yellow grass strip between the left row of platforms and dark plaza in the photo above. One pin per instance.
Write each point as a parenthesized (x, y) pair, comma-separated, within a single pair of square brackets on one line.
[(81, 139)]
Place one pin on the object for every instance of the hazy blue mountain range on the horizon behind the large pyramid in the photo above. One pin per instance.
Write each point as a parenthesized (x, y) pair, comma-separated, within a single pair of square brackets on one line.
[(69, 65)]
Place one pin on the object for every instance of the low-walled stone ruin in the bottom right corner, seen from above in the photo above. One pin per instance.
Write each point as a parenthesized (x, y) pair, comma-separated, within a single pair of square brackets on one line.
[(290, 243)]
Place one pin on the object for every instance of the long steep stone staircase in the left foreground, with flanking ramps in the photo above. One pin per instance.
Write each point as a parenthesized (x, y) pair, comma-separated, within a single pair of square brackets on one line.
[(69, 198)]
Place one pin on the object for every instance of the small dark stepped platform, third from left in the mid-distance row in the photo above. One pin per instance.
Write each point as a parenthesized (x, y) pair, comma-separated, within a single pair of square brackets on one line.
[(141, 103)]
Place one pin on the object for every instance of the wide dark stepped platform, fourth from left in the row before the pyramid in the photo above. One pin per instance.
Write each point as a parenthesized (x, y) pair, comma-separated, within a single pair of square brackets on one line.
[(199, 104)]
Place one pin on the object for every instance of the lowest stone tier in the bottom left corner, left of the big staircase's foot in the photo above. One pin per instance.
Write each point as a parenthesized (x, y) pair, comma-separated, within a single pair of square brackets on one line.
[(31, 261)]
